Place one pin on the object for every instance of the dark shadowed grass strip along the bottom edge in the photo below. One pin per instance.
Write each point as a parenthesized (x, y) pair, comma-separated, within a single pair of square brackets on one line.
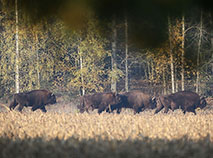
[(99, 148)]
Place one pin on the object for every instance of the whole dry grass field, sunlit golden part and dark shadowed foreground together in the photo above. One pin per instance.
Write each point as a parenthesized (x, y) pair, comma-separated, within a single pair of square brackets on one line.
[(63, 132)]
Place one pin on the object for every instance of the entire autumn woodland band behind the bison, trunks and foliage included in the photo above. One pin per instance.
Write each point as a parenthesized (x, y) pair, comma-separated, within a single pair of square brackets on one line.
[(102, 57)]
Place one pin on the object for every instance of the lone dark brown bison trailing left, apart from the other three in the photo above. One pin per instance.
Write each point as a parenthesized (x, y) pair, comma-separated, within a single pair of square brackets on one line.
[(37, 99)]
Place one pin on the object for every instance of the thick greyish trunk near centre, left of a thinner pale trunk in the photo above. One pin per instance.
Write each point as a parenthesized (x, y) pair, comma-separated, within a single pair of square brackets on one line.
[(113, 57)]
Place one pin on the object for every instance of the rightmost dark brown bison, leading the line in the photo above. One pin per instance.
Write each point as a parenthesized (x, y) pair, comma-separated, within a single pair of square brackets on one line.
[(186, 100)]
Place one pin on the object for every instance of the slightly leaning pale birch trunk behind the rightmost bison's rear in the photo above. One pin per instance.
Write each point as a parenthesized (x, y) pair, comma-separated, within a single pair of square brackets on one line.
[(171, 56)]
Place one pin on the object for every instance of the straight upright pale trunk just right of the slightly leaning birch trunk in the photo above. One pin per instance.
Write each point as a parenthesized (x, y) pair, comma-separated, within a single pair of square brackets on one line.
[(183, 54)]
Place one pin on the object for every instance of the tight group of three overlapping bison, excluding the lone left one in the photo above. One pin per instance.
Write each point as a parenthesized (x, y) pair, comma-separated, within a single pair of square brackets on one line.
[(139, 101)]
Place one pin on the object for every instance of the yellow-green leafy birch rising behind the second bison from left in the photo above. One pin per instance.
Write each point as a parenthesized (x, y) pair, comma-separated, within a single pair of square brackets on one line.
[(90, 50)]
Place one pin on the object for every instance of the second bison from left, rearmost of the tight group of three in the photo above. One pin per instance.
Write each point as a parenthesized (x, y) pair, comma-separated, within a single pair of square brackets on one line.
[(100, 101)]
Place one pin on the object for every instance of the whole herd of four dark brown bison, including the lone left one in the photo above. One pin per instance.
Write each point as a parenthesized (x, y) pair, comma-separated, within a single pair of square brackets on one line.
[(108, 101)]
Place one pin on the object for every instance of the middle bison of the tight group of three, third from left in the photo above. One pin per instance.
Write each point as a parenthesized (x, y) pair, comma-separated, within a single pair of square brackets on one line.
[(136, 100)]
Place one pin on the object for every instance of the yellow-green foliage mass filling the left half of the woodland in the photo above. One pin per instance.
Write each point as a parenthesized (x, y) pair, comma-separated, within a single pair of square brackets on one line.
[(49, 57)]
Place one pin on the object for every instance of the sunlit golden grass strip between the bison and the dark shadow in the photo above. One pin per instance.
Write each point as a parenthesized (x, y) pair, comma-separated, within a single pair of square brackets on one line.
[(108, 126)]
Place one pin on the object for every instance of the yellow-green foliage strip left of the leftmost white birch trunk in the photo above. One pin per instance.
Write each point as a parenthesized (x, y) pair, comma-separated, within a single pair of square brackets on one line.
[(7, 55)]
